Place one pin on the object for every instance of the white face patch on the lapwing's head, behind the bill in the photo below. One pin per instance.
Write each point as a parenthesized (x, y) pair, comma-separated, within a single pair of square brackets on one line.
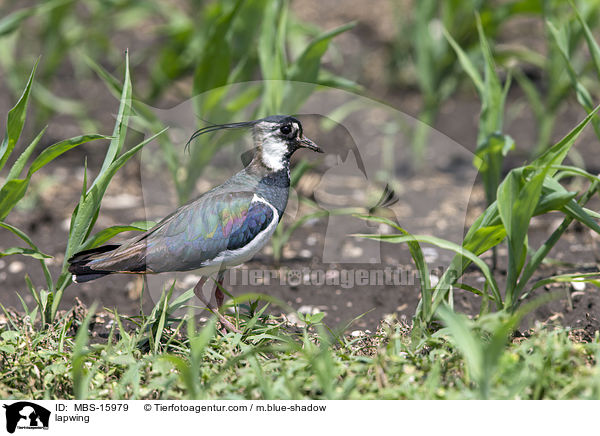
[(275, 143)]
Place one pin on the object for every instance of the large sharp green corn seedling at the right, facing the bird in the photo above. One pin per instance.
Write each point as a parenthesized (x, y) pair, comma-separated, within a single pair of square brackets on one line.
[(526, 192)]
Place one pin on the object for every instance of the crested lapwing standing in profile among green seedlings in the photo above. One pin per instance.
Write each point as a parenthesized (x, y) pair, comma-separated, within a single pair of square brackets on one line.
[(224, 227)]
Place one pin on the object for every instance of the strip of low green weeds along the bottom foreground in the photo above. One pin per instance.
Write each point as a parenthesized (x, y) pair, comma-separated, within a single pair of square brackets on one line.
[(98, 356)]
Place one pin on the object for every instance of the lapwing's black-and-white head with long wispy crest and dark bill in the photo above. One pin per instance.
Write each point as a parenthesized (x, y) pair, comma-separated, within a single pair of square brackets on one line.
[(276, 138)]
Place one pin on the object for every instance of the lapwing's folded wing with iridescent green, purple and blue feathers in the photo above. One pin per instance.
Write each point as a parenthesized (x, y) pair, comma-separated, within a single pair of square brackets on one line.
[(192, 237)]
